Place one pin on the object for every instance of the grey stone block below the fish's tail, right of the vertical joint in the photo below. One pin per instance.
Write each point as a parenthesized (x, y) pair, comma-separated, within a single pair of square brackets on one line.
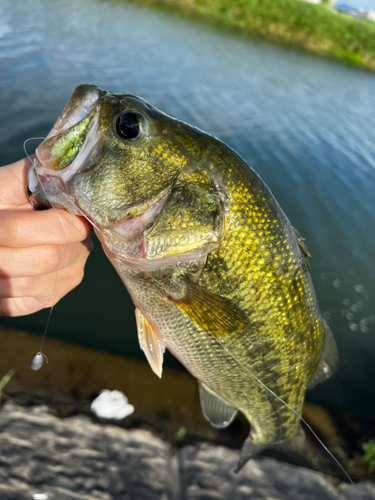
[(206, 474)]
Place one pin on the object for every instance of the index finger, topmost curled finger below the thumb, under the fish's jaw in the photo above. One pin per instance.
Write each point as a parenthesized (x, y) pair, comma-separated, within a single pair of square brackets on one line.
[(28, 229)]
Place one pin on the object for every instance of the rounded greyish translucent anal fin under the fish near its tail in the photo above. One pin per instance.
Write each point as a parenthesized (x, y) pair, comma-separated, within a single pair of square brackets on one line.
[(216, 410)]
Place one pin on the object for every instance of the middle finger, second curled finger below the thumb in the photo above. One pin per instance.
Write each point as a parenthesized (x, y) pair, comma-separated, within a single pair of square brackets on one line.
[(45, 259)]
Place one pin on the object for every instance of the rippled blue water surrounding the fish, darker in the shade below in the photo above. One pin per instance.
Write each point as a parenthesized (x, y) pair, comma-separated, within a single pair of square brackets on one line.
[(307, 126)]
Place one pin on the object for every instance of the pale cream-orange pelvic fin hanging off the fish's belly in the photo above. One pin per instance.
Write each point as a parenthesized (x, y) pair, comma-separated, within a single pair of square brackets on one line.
[(150, 342)]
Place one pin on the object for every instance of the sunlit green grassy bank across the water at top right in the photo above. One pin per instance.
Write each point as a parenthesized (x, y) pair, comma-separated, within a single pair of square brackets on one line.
[(313, 27)]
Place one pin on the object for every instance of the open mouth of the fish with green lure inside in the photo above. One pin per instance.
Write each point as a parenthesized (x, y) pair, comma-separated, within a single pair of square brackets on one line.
[(68, 149)]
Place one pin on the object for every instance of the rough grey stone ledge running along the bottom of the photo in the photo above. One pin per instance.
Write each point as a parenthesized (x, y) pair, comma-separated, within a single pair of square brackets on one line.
[(77, 459)]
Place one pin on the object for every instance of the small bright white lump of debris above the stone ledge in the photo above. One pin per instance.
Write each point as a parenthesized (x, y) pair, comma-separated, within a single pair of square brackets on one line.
[(111, 405)]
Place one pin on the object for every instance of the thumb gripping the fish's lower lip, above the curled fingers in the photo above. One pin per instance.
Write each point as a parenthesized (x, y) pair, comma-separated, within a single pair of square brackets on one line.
[(13, 182)]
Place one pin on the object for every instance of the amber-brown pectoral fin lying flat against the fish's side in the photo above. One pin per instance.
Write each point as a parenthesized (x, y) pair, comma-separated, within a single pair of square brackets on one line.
[(211, 312)]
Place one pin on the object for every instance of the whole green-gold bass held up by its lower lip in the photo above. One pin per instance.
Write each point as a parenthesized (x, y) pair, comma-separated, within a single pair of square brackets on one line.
[(217, 273)]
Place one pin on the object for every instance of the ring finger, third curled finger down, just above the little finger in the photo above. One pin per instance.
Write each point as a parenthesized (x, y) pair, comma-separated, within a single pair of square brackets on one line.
[(46, 286)]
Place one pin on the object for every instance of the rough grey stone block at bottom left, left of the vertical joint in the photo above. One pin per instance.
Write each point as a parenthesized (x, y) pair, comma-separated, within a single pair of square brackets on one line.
[(74, 458)]
